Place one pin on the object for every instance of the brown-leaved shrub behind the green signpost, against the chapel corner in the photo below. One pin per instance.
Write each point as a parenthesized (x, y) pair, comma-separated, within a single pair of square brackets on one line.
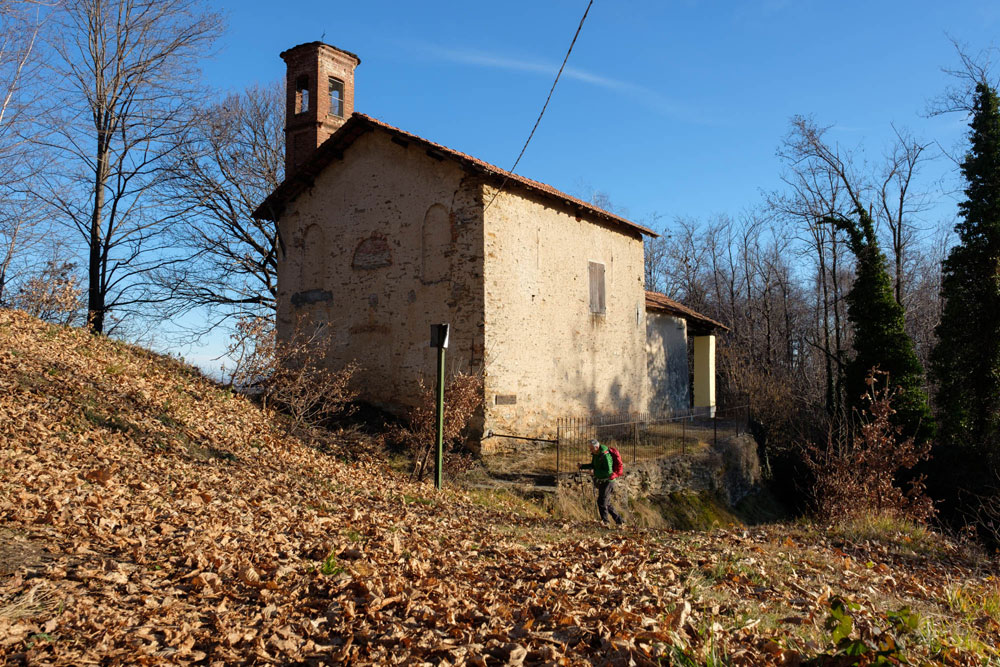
[(462, 399)]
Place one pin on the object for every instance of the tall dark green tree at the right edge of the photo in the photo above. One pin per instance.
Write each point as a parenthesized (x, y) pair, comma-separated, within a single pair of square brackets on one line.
[(966, 360)]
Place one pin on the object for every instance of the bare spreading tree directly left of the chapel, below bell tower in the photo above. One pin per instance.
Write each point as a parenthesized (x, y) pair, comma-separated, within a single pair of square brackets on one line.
[(230, 159)]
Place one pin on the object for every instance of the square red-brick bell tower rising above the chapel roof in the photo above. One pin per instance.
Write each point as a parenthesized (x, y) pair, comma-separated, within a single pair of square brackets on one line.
[(319, 81)]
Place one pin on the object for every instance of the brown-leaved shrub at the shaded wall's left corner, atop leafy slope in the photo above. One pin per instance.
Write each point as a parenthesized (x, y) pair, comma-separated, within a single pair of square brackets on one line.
[(293, 375)]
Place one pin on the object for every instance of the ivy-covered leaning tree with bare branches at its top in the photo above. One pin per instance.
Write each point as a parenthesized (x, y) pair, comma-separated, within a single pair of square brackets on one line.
[(880, 338)]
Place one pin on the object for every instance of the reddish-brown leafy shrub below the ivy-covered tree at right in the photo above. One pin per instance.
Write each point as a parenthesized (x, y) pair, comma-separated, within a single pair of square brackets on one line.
[(854, 473)]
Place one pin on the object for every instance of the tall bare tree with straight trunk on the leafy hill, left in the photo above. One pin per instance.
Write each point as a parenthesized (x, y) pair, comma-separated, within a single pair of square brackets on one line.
[(129, 75)]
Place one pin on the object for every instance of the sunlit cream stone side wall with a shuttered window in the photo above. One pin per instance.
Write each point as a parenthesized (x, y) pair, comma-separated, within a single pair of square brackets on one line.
[(547, 354)]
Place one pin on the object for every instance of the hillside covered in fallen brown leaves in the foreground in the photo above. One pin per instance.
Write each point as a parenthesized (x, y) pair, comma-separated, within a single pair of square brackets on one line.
[(148, 516)]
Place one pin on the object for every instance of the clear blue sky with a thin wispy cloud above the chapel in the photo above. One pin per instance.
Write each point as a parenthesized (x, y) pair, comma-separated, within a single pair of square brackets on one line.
[(669, 107)]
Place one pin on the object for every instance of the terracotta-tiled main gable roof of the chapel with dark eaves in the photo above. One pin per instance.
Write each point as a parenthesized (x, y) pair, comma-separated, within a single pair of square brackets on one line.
[(359, 123)]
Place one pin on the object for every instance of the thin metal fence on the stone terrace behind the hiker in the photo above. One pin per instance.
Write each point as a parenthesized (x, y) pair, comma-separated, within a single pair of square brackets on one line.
[(642, 436)]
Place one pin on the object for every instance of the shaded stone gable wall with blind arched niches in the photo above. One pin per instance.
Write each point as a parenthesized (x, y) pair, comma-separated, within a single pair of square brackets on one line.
[(387, 242)]
